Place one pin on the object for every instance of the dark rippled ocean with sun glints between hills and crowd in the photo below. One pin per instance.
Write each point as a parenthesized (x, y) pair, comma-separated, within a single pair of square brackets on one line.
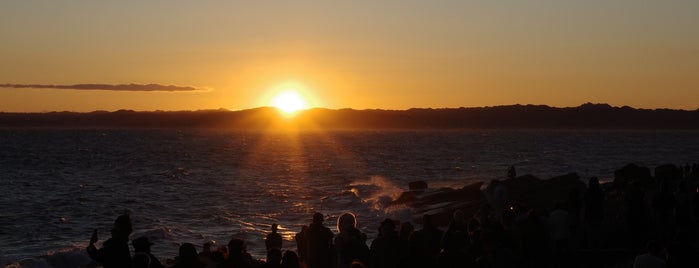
[(57, 185)]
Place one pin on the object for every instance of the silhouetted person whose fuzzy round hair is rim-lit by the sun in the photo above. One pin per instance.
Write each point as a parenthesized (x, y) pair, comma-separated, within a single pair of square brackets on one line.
[(350, 243)]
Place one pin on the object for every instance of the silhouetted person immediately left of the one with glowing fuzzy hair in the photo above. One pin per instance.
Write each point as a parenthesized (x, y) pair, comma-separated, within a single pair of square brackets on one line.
[(319, 247)]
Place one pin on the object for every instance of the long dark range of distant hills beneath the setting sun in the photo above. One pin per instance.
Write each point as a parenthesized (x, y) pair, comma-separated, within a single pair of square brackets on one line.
[(586, 116)]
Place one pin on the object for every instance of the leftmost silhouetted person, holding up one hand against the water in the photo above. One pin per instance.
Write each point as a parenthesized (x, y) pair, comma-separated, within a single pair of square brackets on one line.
[(115, 251)]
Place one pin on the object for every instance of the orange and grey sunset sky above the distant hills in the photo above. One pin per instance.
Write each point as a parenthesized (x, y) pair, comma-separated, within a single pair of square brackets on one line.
[(393, 54)]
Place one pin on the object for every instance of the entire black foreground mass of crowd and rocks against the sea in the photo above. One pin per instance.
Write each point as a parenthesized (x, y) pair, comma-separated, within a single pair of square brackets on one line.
[(517, 222)]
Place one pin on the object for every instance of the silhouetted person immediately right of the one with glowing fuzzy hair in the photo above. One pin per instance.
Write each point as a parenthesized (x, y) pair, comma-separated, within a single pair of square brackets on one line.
[(385, 248)]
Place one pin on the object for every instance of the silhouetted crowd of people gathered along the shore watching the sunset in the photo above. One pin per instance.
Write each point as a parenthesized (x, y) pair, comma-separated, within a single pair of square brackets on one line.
[(658, 222)]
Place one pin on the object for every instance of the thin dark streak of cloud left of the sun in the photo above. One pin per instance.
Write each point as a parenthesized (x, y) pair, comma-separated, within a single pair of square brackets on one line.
[(120, 87)]
